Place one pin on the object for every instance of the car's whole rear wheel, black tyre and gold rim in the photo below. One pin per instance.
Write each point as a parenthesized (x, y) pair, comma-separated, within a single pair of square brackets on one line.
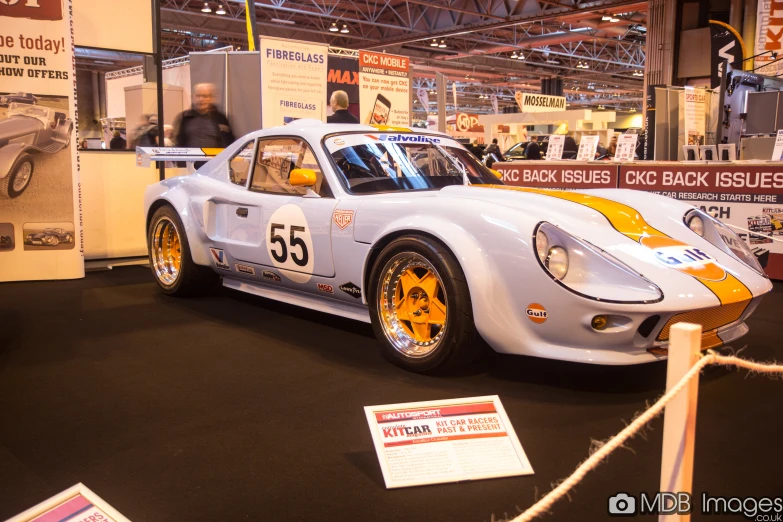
[(170, 259)]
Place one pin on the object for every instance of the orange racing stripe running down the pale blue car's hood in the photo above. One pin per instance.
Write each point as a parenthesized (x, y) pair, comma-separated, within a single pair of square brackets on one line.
[(629, 222)]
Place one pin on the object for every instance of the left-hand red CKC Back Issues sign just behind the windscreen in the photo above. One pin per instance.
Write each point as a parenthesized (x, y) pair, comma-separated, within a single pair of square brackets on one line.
[(565, 175)]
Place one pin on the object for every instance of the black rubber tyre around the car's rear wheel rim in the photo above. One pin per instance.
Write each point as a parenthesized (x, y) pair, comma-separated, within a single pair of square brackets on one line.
[(192, 279)]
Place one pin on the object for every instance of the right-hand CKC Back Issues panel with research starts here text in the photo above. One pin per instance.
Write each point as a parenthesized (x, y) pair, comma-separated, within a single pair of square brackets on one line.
[(749, 198)]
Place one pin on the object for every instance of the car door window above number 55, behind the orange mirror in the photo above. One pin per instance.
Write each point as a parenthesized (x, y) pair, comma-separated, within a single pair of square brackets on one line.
[(275, 160)]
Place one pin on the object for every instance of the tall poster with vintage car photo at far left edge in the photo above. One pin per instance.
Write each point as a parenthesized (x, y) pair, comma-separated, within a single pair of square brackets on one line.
[(40, 229)]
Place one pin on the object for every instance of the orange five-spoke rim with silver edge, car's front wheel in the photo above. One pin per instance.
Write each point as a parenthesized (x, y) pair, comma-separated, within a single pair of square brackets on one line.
[(412, 305)]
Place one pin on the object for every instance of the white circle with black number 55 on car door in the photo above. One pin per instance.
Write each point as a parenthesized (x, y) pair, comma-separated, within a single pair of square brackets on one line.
[(290, 244)]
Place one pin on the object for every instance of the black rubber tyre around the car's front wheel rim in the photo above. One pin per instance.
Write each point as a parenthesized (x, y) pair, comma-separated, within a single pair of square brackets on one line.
[(460, 344)]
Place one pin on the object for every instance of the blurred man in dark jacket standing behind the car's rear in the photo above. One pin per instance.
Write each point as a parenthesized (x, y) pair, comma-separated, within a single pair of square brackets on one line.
[(203, 125)]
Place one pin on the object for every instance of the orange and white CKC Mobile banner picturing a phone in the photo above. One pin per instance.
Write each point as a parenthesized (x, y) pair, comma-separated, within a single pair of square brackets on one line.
[(384, 89)]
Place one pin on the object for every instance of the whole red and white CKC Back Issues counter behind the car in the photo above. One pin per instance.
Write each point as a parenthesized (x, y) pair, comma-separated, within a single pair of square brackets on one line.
[(748, 196)]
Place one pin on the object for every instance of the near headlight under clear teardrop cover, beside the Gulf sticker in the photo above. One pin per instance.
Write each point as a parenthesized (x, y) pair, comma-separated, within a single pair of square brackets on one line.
[(588, 271)]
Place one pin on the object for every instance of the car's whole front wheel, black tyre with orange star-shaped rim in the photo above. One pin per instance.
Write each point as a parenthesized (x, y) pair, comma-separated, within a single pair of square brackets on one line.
[(420, 306)]
